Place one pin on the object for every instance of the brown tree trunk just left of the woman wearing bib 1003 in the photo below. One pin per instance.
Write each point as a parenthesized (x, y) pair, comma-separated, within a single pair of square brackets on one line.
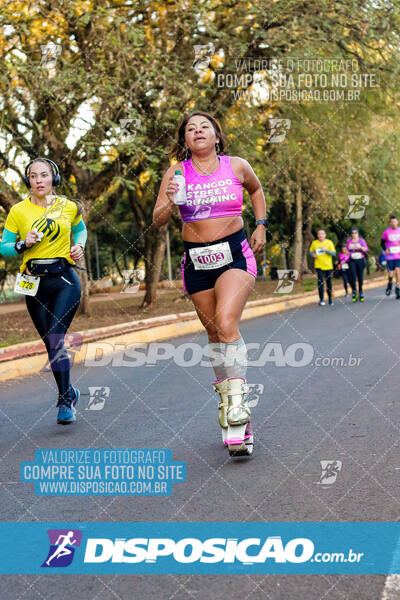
[(155, 244)]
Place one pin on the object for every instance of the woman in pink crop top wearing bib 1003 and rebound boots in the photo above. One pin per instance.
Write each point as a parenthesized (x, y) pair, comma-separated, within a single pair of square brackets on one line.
[(218, 266)]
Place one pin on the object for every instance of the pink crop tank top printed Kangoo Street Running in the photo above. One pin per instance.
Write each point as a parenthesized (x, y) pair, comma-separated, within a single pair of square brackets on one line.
[(211, 196)]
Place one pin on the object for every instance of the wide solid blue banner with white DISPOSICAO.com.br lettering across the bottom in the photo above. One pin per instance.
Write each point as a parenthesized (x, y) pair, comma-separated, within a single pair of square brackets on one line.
[(199, 548)]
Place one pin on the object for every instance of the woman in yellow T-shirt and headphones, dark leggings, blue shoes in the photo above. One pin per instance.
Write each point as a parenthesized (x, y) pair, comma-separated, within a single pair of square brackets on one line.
[(44, 222)]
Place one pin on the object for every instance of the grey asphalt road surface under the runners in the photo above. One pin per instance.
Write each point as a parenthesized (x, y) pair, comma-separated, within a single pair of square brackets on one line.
[(305, 415)]
